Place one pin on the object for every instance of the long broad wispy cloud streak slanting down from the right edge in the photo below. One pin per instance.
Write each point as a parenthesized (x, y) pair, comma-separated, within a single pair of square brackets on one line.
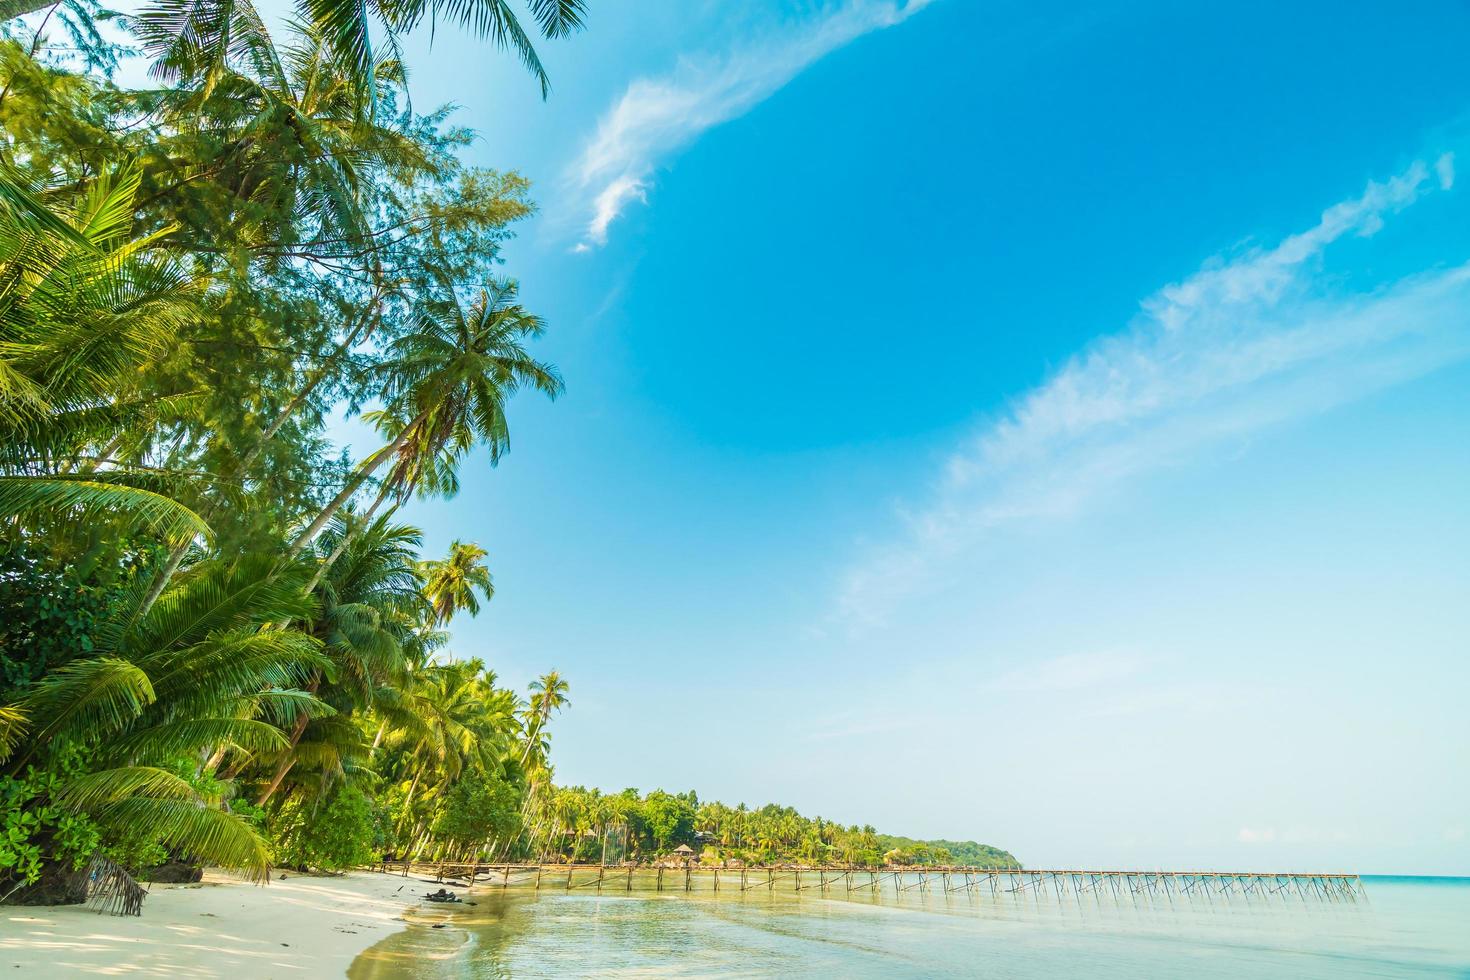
[(1243, 345)]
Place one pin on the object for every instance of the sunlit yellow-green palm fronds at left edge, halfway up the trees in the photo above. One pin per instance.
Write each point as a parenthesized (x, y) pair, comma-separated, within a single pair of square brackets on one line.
[(85, 308)]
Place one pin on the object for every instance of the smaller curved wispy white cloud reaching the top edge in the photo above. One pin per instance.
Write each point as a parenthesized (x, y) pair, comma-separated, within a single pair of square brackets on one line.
[(658, 117)]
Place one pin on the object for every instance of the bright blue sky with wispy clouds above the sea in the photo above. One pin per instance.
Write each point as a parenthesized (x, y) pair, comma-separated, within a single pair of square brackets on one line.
[(997, 421)]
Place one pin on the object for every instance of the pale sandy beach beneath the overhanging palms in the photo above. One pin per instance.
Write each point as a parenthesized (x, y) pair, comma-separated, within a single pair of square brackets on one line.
[(298, 926)]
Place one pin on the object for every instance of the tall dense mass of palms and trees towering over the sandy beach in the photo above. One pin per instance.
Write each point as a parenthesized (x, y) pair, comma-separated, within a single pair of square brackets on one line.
[(220, 643)]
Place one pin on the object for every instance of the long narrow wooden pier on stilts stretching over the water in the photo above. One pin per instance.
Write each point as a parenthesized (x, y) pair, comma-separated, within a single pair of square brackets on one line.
[(1034, 884)]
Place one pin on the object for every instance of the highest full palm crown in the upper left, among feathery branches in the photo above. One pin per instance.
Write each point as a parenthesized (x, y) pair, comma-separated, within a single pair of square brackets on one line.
[(282, 149)]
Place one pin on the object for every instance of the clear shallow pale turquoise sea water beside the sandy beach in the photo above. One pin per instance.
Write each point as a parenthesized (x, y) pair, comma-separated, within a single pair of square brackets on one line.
[(1406, 928)]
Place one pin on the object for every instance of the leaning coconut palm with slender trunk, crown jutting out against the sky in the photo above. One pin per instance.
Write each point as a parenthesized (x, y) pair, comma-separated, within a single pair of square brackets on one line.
[(448, 384)]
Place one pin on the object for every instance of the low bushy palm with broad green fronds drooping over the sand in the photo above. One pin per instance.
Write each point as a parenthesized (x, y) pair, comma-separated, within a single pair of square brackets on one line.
[(198, 671)]
